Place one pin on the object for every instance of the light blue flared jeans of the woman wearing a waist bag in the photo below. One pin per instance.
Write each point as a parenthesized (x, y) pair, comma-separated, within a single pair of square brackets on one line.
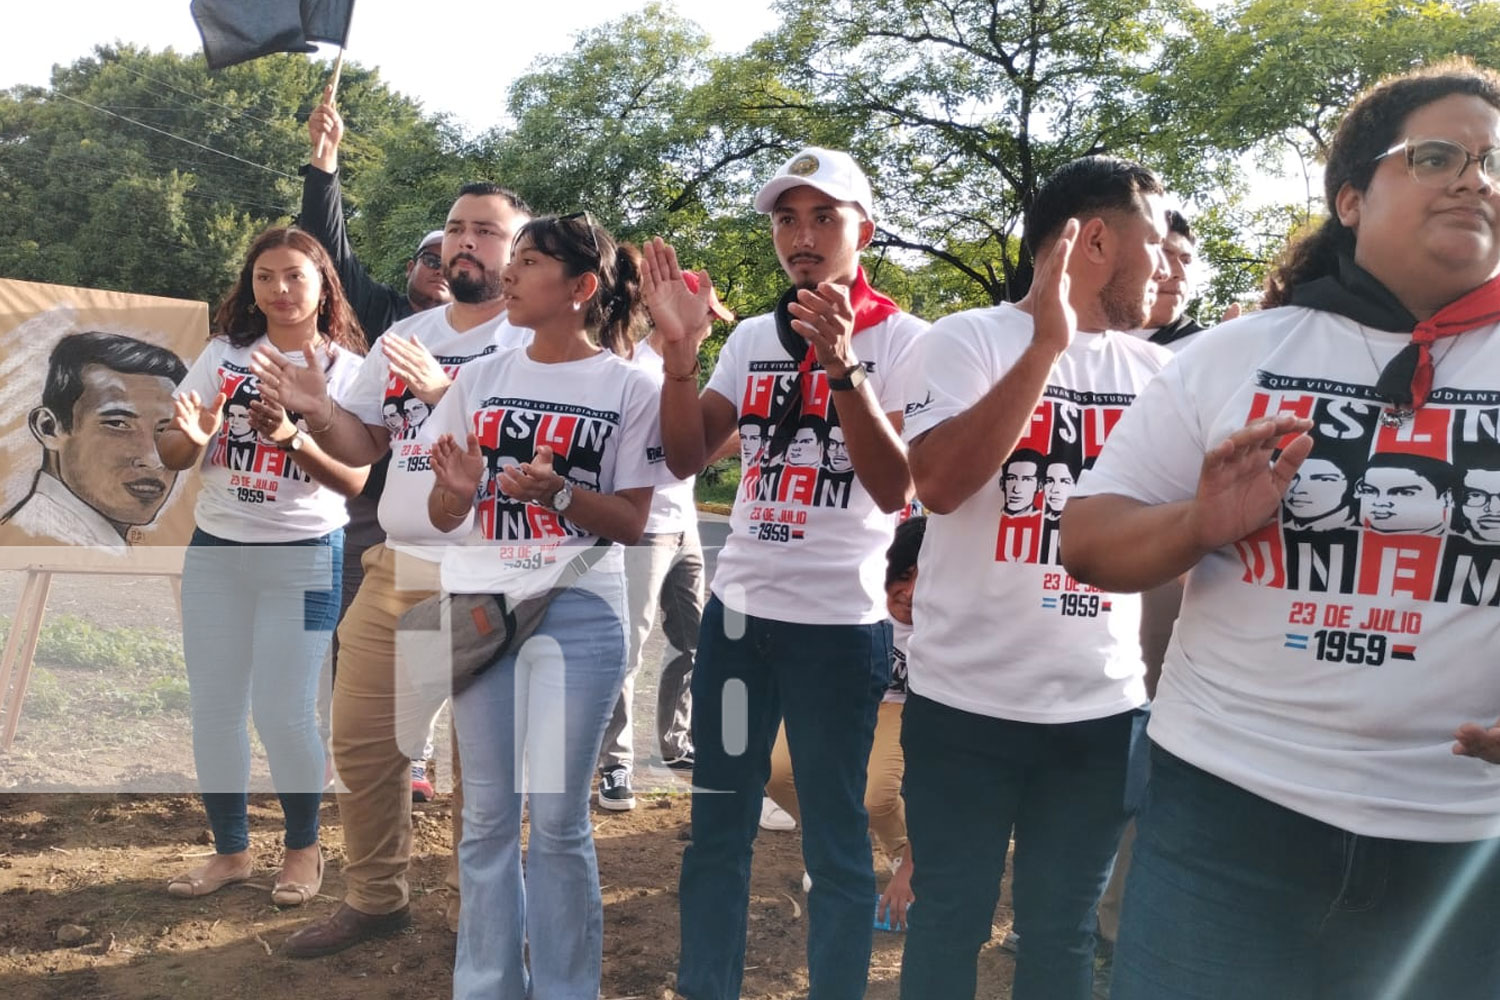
[(541, 710)]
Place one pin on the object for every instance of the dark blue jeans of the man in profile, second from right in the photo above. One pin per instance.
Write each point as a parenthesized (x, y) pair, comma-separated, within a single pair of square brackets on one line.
[(973, 782)]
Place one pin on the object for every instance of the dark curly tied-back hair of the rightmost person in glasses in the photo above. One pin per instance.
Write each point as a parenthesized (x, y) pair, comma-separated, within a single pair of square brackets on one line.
[(1369, 130)]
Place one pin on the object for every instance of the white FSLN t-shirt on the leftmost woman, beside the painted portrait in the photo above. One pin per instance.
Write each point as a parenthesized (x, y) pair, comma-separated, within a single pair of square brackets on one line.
[(253, 491)]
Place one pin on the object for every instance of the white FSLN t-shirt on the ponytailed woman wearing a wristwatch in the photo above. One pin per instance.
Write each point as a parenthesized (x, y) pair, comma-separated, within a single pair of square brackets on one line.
[(601, 418)]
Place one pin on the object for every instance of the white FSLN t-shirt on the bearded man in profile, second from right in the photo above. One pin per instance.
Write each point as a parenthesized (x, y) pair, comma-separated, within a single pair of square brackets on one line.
[(1000, 627)]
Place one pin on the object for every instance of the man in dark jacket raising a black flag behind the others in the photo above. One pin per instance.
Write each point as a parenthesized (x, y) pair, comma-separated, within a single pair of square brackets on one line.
[(379, 307)]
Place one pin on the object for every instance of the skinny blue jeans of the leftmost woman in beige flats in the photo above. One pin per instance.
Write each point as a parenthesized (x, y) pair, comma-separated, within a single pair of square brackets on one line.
[(257, 623)]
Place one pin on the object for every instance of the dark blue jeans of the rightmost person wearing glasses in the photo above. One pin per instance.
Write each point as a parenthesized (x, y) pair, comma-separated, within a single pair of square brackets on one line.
[(1232, 897)]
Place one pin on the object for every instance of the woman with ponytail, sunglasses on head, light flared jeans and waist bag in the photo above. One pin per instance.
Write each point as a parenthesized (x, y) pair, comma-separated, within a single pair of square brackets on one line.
[(554, 448)]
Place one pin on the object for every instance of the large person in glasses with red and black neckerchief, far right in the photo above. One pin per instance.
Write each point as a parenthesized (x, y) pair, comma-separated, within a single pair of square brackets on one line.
[(1324, 809)]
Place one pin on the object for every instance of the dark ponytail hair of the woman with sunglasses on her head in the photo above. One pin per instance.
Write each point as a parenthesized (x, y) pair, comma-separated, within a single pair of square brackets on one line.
[(616, 313)]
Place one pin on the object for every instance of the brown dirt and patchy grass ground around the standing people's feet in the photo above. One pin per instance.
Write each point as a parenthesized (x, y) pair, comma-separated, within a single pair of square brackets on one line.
[(85, 915)]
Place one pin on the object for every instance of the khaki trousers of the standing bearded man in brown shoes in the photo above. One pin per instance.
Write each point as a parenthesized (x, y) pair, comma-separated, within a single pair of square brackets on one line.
[(376, 735)]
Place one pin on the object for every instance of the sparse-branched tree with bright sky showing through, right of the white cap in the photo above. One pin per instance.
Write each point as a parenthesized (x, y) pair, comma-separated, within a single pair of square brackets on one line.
[(964, 107)]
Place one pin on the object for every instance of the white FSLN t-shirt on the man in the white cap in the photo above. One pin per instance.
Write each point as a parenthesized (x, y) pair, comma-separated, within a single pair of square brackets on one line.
[(806, 543)]
